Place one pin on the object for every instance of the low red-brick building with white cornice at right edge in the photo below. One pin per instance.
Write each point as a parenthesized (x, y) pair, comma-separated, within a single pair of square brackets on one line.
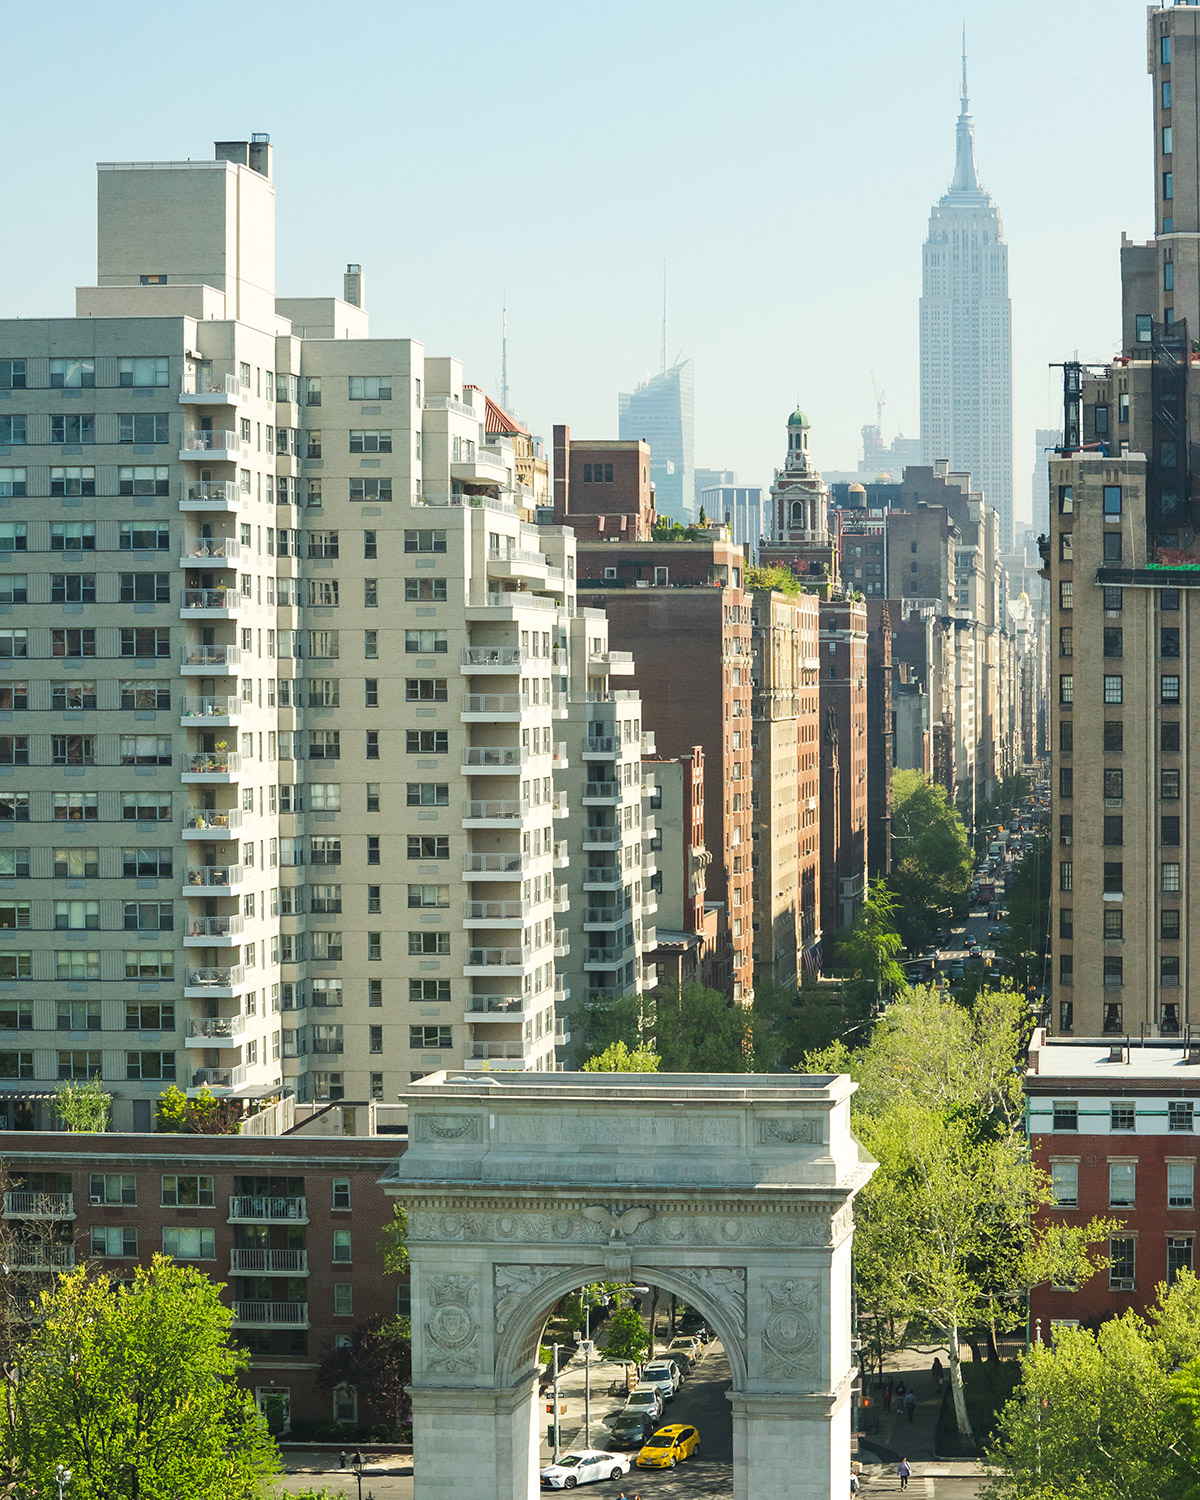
[(1115, 1127)]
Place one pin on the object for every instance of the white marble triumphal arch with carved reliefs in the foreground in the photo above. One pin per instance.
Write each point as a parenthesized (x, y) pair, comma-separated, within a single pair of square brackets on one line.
[(734, 1192)]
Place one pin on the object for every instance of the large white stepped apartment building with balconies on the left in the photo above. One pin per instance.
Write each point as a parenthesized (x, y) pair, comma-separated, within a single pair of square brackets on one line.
[(283, 685)]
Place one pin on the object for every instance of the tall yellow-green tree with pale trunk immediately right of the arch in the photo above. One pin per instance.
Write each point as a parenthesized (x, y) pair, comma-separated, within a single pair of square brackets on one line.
[(947, 1226)]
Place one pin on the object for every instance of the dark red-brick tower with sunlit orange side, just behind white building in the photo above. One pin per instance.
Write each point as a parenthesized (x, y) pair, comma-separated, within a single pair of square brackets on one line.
[(682, 611)]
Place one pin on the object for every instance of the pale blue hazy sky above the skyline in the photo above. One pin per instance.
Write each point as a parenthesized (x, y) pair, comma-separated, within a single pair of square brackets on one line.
[(781, 158)]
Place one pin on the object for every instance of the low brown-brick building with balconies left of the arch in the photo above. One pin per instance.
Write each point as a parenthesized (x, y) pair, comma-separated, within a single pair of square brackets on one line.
[(287, 1225)]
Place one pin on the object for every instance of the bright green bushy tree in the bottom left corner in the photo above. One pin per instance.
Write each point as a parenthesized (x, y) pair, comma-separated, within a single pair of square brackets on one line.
[(134, 1390)]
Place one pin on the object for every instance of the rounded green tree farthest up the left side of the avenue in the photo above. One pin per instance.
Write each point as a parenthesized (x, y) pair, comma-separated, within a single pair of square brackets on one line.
[(931, 857)]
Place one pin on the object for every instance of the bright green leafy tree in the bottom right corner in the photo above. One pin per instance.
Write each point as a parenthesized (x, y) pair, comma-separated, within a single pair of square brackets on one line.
[(1109, 1415)]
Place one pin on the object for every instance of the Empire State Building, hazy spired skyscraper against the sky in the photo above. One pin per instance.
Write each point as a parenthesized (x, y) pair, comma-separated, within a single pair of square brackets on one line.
[(967, 335)]
